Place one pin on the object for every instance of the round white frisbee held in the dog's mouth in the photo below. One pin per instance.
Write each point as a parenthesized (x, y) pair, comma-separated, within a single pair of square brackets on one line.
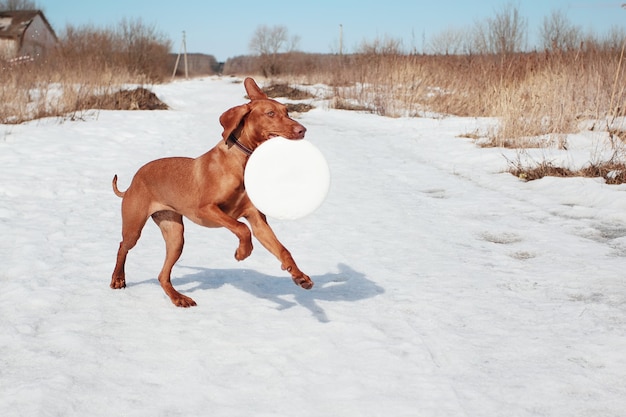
[(287, 179)]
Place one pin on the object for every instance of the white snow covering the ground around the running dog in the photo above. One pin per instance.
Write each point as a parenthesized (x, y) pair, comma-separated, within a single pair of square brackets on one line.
[(444, 286)]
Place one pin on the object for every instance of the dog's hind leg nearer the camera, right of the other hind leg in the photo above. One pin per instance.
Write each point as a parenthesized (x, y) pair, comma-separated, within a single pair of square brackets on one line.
[(171, 225)]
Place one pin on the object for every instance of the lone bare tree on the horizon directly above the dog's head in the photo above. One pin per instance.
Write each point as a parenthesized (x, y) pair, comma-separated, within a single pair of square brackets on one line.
[(268, 43)]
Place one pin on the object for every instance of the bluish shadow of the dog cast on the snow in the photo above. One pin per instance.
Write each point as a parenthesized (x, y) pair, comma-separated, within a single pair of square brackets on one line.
[(346, 285)]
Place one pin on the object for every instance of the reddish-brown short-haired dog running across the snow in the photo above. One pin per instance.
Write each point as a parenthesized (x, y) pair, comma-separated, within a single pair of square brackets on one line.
[(208, 190)]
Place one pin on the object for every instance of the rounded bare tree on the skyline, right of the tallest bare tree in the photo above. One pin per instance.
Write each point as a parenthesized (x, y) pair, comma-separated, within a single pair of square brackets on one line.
[(558, 34)]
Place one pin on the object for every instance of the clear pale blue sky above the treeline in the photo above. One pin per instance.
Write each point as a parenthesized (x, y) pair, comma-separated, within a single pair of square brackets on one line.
[(224, 28)]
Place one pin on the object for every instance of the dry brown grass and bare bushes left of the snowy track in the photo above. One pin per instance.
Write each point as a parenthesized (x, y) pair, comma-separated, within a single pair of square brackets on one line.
[(87, 70)]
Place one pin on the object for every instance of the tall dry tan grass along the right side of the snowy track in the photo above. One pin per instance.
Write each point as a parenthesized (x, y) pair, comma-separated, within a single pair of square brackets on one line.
[(537, 97)]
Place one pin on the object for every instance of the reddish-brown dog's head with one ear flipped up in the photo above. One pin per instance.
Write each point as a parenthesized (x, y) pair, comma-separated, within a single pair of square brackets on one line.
[(259, 120)]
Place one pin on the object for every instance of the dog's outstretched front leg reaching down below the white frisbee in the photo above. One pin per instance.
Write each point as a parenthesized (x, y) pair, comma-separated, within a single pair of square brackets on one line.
[(264, 233)]
